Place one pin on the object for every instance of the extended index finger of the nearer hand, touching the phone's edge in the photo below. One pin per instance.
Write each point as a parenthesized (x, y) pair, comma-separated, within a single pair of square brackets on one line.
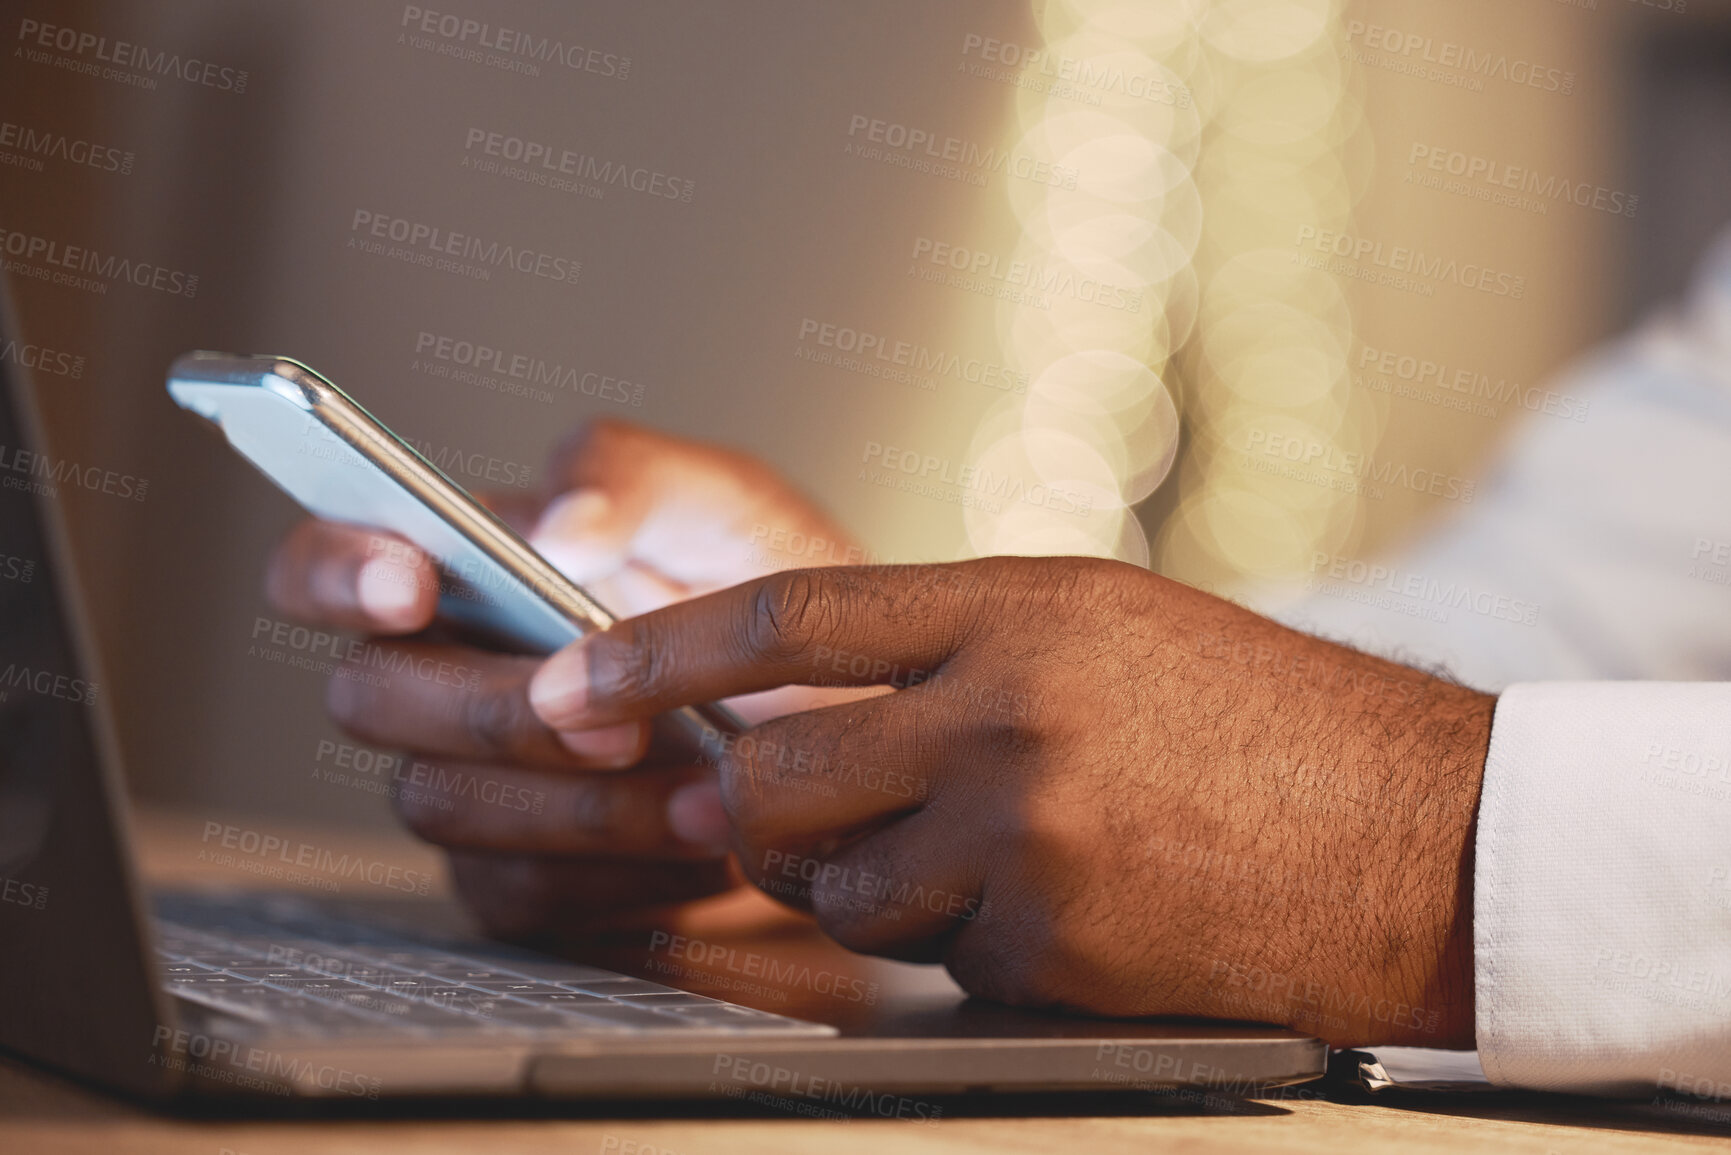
[(882, 626)]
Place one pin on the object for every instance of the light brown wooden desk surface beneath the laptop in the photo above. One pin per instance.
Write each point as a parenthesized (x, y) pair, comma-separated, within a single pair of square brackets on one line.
[(42, 1113)]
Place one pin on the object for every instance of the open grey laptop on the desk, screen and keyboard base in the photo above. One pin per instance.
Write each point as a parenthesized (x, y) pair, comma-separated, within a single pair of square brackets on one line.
[(262, 995)]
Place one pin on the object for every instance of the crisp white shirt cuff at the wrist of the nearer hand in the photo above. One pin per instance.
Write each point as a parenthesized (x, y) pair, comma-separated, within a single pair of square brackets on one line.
[(1602, 896)]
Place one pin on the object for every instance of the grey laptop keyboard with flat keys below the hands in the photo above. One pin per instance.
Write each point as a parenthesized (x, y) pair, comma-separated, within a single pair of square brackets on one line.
[(292, 967)]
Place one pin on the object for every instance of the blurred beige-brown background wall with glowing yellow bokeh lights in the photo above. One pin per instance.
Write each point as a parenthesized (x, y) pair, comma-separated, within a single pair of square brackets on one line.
[(1135, 247)]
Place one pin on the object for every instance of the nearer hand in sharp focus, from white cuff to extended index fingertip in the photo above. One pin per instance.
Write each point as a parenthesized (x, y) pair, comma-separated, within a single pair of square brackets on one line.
[(1093, 789)]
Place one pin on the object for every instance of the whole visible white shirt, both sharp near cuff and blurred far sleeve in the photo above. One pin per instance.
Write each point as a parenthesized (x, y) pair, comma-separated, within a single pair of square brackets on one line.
[(1602, 550)]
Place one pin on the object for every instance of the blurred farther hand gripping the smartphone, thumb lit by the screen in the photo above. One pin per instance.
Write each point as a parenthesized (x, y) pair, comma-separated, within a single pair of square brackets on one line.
[(553, 830)]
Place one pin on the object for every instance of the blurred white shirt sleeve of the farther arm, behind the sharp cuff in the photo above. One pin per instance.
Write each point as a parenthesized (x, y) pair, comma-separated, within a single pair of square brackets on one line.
[(1597, 550)]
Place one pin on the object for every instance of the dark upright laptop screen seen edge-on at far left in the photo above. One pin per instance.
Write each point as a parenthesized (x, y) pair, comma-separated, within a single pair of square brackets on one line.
[(75, 988)]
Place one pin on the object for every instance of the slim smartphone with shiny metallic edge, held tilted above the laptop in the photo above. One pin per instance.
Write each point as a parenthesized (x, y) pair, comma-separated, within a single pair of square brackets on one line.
[(344, 465)]
